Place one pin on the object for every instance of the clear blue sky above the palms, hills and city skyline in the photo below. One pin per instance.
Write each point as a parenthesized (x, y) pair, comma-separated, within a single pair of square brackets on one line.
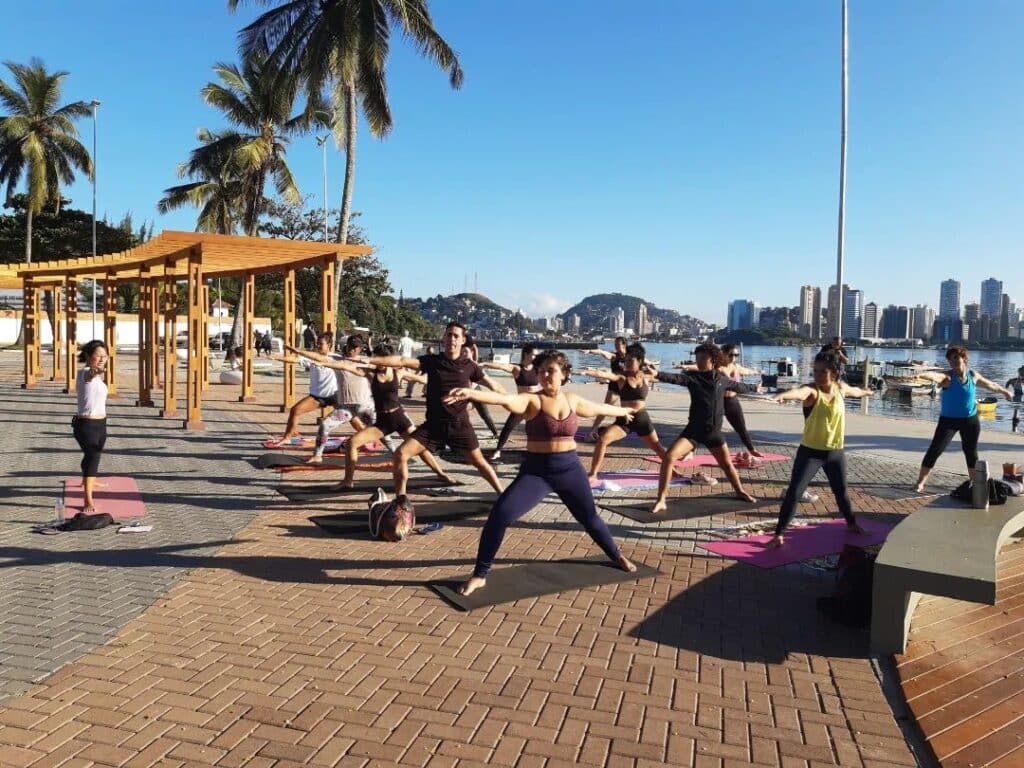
[(686, 152)]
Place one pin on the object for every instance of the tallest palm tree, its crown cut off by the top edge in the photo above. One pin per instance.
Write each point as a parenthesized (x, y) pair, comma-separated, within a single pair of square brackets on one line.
[(345, 46)]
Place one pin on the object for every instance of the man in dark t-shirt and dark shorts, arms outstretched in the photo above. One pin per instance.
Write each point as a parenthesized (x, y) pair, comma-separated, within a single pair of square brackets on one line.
[(445, 425)]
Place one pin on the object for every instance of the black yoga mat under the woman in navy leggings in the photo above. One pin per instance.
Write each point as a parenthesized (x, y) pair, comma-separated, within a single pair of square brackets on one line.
[(538, 579)]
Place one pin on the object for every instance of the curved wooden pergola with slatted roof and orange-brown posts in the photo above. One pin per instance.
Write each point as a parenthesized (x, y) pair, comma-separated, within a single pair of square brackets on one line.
[(168, 260)]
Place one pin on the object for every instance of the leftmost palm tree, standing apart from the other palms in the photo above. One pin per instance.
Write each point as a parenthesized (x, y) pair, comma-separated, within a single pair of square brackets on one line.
[(38, 140)]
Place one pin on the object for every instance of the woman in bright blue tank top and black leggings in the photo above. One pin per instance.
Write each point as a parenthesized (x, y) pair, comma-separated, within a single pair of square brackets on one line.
[(959, 414)]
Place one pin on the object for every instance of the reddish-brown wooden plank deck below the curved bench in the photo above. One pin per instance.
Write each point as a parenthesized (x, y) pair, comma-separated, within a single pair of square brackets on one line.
[(963, 673)]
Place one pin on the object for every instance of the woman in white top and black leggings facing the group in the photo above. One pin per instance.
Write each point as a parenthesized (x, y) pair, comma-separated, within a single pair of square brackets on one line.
[(91, 419)]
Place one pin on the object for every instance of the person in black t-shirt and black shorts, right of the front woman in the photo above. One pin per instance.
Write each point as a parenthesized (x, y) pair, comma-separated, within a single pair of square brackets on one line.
[(708, 387)]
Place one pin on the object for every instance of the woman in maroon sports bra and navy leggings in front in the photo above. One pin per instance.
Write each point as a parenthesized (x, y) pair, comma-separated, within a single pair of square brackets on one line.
[(551, 464)]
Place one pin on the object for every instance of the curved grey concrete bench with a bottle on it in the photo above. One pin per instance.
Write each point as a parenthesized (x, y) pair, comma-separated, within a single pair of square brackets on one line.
[(948, 549)]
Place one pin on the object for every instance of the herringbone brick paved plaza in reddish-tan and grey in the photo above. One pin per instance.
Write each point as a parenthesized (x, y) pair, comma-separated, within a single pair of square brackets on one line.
[(238, 634)]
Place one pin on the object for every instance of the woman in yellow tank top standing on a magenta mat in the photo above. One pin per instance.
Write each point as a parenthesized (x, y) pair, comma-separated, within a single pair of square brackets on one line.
[(822, 446)]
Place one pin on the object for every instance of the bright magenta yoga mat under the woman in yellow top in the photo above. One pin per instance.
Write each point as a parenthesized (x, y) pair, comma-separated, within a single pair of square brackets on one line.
[(814, 540)]
